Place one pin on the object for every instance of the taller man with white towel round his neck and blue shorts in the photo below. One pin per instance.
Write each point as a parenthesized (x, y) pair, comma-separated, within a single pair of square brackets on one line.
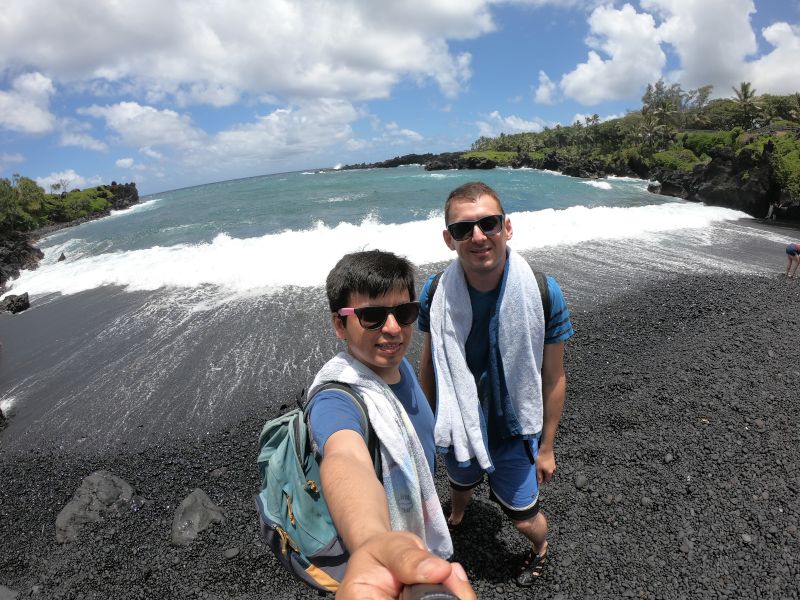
[(493, 368)]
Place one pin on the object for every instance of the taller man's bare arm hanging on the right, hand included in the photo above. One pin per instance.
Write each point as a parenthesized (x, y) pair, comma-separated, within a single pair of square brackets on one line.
[(554, 391)]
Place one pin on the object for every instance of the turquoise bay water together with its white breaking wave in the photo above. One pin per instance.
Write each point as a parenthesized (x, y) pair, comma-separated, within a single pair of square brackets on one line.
[(262, 234)]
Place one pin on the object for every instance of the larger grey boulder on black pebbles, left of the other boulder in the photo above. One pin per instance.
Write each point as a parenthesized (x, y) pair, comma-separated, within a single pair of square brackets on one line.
[(99, 493)]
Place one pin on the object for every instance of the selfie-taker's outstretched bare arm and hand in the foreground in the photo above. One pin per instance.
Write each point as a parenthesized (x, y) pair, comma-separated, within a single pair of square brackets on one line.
[(381, 561)]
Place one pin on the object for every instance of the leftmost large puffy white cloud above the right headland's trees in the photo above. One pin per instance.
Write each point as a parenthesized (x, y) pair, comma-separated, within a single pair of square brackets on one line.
[(631, 43)]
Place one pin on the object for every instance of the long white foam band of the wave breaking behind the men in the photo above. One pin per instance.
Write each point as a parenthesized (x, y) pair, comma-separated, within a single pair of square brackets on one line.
[(303, 258)]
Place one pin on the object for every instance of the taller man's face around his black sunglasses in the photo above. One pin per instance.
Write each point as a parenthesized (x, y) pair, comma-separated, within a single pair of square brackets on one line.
[(480, 255)]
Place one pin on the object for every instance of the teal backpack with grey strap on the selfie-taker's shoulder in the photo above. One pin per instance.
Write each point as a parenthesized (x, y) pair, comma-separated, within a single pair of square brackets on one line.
[(295, 521)]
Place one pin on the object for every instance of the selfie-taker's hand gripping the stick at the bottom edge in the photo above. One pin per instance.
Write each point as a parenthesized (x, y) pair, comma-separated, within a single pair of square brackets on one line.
[(386, 562)]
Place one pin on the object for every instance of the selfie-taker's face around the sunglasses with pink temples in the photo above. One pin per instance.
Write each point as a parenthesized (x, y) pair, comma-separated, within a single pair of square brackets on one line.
[(381, 349)]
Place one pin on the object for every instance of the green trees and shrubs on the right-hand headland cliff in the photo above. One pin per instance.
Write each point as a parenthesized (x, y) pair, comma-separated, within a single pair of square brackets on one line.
[(675, 129)]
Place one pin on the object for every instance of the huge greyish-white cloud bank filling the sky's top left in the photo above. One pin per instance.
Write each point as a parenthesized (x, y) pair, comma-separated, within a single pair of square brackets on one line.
[(212, 53)]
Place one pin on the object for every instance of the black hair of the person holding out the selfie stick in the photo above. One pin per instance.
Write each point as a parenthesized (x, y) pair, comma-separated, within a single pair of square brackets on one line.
[(372, 273)]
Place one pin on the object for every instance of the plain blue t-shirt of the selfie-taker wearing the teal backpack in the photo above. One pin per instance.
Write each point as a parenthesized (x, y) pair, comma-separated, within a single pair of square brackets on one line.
[(331, 411)]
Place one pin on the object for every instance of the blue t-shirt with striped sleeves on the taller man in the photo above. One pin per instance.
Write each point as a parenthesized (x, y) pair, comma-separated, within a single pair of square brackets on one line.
[(559, 329)]
